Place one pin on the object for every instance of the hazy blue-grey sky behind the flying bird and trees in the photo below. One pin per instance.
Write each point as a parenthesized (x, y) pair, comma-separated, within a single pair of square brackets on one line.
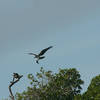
[(71, 26)]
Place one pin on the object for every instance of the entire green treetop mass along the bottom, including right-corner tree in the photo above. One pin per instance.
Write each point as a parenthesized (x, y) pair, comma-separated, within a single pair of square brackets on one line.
[(64, 85)]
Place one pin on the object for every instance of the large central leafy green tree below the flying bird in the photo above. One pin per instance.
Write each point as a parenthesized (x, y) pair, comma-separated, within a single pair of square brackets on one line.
[(64, 85)]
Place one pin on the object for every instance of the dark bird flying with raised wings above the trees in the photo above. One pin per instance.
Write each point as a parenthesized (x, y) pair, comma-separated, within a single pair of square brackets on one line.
[(39, 56)]
